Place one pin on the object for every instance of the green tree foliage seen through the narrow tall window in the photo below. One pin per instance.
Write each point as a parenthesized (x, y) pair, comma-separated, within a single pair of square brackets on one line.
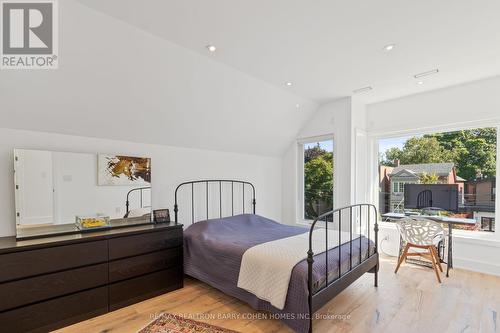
[(318, 181)]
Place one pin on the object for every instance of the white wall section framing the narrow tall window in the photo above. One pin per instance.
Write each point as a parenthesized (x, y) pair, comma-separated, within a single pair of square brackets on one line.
[(332, 118)]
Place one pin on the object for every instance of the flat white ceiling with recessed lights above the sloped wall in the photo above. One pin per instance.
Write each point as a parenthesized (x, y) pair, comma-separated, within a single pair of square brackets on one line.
[(329, 48)]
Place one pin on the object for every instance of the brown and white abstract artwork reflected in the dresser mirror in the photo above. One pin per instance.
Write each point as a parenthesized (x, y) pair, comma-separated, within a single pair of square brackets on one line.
[(123, 170)]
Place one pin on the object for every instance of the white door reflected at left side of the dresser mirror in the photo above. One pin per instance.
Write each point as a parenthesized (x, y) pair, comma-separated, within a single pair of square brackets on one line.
[(34, 187)]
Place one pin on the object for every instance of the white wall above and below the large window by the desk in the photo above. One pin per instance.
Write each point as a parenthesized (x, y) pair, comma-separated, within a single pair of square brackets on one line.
[(470, 105)]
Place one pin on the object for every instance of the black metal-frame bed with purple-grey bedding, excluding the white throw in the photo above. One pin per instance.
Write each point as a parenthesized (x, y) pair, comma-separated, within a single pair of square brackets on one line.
[(215, 247)]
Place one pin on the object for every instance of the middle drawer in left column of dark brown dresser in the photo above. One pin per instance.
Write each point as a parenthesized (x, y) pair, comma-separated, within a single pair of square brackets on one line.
[(35, 289)]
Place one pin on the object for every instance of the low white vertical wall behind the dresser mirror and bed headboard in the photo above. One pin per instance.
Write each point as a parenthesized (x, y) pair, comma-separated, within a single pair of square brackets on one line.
[(171, 165)]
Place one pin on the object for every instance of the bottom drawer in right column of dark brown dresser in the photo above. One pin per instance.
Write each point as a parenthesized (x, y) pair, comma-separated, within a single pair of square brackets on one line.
[(137, 289)]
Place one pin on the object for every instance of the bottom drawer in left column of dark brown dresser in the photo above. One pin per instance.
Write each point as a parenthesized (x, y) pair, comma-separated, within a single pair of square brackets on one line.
[(56, 313)]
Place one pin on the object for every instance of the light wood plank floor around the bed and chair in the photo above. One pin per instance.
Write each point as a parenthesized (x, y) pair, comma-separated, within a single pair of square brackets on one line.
[(411, 301)]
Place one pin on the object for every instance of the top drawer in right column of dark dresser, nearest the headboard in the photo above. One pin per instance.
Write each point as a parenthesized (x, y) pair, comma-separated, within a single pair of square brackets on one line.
[(128, 246)]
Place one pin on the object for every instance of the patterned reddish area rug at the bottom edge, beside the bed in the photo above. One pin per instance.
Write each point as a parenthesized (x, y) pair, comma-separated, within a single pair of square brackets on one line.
[(169, 323)]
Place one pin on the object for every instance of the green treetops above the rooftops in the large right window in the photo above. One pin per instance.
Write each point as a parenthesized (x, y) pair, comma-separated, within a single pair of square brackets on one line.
[(472, 151)]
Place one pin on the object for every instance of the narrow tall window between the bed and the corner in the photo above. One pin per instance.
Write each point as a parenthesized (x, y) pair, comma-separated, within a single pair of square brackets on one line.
[(317, 177)]
